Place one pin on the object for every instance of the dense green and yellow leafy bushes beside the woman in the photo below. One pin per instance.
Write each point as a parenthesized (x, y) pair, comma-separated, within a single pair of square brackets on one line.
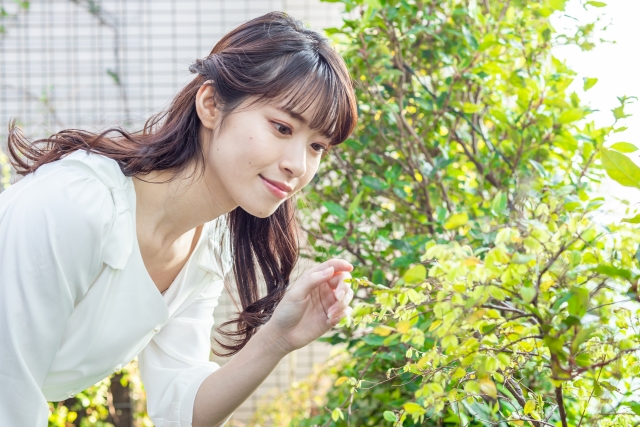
[(490, 295)]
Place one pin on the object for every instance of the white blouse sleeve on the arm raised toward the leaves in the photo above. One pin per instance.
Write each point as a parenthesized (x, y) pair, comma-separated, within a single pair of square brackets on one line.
[(176, 362)]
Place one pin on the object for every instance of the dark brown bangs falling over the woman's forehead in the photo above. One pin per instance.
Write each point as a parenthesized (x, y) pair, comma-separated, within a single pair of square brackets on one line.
[(314, 83)]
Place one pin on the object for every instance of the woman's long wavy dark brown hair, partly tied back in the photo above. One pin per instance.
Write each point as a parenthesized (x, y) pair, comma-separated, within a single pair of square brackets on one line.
[(272, 58)]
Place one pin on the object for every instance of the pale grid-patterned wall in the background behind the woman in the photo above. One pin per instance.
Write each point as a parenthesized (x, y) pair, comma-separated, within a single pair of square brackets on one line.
[(95, 64)]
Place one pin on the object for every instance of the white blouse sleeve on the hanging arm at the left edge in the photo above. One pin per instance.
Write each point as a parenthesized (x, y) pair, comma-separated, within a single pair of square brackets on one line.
[(52, 228)]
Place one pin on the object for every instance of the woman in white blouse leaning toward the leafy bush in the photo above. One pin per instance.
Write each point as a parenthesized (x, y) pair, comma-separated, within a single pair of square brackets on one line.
[(117, 247)]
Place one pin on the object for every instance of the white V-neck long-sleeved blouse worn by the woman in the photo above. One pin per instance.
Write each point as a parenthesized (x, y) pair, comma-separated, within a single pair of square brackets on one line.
[(77, 303)]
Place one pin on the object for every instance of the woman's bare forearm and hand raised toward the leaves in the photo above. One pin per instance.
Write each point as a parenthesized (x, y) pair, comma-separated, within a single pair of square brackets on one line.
[(300, 318)]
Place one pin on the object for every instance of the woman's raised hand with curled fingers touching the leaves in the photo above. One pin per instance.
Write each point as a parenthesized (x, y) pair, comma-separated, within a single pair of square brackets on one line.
[(314, 304)]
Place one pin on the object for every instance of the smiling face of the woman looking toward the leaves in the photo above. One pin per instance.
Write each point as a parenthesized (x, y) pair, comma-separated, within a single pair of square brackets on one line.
[(260, 157)]
